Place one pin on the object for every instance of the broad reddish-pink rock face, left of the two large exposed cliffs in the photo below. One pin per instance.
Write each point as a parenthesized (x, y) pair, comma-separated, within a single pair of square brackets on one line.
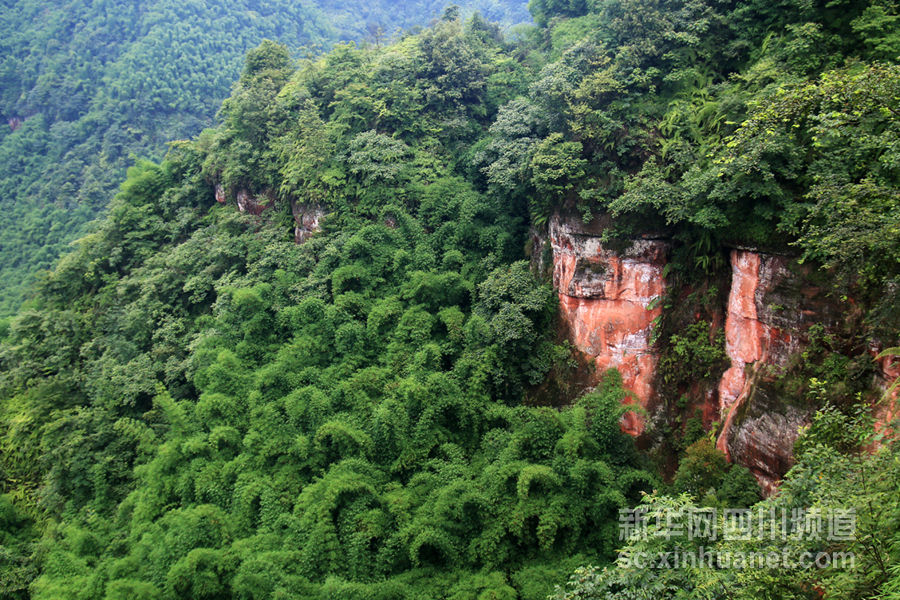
[(605, 298)]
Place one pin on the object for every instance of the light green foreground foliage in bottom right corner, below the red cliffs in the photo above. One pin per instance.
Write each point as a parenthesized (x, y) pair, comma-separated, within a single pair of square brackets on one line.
[(842, 462)]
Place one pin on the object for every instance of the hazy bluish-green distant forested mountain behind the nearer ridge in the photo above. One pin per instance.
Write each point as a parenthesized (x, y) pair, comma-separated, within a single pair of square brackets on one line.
[(85, 85)]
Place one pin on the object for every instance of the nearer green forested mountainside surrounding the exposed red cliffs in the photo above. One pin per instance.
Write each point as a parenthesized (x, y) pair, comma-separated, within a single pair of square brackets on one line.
[(312, 352)]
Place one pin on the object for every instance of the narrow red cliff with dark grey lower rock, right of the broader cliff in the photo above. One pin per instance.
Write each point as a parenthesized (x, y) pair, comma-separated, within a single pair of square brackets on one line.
[(771, 307)]
